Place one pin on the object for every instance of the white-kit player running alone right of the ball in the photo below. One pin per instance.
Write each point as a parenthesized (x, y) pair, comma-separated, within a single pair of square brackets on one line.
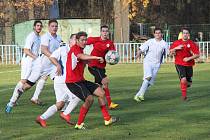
[(154, 50)]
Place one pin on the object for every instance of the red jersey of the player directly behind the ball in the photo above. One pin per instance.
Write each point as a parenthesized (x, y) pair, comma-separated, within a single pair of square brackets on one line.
[(100, 48)]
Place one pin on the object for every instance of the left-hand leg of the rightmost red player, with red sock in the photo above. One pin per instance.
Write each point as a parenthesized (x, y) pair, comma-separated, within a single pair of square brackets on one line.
[(181, 70)]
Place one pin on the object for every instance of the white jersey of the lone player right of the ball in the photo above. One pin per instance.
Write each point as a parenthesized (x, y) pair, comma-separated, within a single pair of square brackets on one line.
[(154, 51)]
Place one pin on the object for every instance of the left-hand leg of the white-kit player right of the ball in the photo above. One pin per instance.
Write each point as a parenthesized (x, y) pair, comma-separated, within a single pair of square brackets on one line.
[(148, 72)]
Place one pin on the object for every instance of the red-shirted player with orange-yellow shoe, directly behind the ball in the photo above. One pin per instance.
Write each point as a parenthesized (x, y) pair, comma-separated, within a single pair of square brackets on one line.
[(101, 45)]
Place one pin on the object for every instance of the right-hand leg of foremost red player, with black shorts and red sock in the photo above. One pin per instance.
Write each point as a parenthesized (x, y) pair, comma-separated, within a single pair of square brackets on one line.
[(98, 91)]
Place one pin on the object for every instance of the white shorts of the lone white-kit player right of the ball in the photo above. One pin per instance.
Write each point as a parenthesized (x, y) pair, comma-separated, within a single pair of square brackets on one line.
[(151, 70)]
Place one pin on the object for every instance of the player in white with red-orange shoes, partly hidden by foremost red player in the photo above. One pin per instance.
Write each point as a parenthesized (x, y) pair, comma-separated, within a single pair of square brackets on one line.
[(59, 58)]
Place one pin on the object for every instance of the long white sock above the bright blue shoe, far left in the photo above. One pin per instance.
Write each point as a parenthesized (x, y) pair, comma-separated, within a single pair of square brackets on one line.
[(15, 95)]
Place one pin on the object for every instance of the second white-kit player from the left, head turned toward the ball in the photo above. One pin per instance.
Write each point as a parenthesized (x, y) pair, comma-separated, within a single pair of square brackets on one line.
[(49, 43)]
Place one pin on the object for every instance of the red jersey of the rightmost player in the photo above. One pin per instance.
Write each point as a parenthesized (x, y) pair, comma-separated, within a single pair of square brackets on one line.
[(188, 50)]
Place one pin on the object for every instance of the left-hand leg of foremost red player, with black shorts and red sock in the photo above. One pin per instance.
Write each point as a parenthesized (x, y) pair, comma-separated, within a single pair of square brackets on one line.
[(80, 90)]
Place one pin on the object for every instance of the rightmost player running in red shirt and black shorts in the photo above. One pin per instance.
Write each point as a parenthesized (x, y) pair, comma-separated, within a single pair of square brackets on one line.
[(185, 51)]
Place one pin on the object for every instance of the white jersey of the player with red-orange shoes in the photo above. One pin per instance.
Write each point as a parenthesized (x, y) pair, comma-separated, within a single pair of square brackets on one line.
[(61, 55)]
